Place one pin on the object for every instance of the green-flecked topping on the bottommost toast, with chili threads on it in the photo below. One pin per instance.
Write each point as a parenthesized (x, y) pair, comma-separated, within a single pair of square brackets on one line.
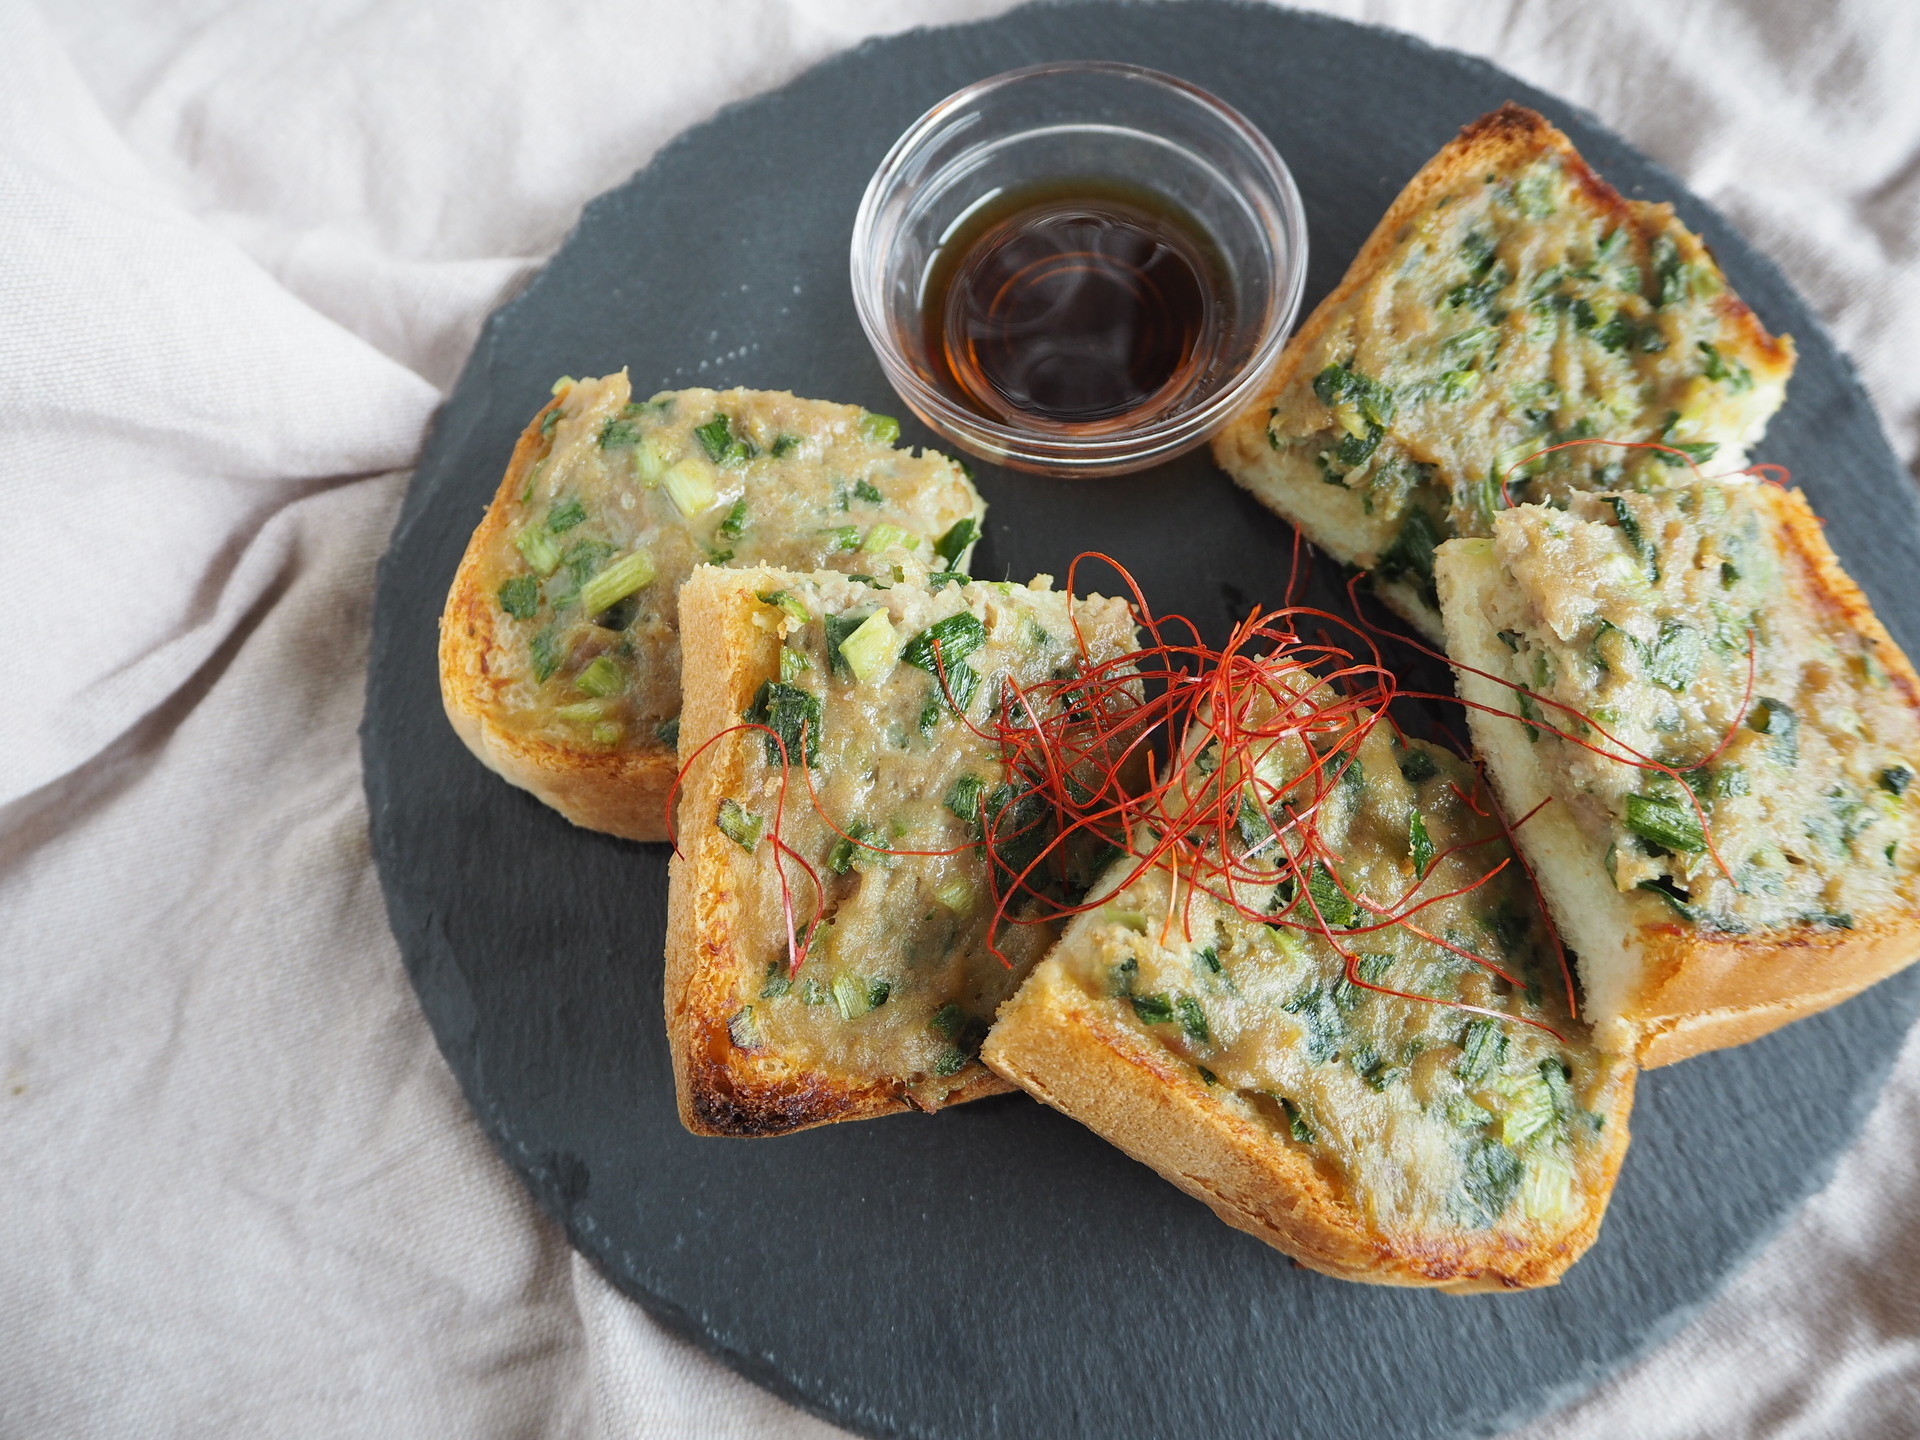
[(1330, 928)]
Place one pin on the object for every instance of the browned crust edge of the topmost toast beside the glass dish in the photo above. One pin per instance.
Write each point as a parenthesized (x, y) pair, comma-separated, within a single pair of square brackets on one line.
[(1497, 141)]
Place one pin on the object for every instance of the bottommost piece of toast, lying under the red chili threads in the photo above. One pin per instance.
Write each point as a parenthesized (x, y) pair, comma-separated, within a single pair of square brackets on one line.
[(1374, 1138)]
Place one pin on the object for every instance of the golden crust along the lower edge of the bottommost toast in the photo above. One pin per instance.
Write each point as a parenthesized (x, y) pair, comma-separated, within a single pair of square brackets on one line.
[(1053, 1044)]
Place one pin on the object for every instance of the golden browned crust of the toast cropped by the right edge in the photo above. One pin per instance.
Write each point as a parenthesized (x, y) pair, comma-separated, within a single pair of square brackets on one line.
[(1714, 992)]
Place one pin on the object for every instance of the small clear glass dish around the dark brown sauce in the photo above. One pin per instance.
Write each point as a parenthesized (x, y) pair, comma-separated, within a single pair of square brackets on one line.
[(1086, 122)]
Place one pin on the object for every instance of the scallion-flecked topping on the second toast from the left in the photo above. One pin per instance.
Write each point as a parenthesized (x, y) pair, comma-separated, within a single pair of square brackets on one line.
[(882, 894)]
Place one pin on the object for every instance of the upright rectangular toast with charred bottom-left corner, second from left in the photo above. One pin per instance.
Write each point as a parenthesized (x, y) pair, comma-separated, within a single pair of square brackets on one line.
[(900, 980)]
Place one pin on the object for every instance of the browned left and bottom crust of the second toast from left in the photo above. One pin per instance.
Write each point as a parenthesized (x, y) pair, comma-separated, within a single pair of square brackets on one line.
[(721, 1088)]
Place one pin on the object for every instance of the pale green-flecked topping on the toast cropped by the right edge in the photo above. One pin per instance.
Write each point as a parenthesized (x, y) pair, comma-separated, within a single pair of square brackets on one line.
[(1721, 732)]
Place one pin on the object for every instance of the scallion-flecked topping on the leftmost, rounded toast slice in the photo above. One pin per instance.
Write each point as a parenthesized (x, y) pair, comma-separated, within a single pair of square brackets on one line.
[(629, 496)]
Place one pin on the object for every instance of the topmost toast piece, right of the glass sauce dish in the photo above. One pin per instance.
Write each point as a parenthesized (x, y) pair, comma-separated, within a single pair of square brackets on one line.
[(1510, 300)]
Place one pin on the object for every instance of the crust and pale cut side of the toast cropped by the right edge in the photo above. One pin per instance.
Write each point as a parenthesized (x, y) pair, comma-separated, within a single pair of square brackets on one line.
[(1696, 992)]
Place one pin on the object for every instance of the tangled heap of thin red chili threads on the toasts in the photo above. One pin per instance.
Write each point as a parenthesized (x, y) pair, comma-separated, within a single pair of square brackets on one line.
[(1166, 708)]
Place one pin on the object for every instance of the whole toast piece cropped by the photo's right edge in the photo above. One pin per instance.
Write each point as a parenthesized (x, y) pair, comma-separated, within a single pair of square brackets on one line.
[(1775, 867)]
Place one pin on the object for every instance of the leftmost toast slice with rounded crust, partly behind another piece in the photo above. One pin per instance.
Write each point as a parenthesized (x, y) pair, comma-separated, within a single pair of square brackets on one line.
[(560, 648)]
